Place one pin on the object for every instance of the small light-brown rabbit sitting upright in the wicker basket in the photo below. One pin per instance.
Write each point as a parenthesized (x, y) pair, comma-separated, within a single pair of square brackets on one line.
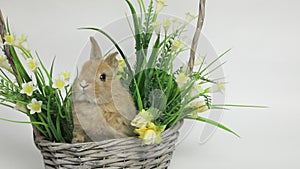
[(102, 107)]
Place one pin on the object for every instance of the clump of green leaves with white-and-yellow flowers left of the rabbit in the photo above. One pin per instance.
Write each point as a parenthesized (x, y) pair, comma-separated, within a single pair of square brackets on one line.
[(28, 86)]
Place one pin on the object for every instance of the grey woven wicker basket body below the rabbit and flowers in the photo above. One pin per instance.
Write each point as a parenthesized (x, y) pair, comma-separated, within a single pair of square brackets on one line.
[(113, 154)]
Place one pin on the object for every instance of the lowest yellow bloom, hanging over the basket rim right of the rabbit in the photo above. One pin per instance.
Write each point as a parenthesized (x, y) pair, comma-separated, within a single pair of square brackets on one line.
[(150, 133)]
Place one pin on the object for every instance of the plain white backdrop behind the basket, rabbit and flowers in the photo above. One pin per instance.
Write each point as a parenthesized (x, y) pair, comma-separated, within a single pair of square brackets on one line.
[(262, 69)]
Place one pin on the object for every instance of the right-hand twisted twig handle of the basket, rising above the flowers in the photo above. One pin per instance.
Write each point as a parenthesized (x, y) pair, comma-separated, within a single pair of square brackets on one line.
[(196, 37)]
